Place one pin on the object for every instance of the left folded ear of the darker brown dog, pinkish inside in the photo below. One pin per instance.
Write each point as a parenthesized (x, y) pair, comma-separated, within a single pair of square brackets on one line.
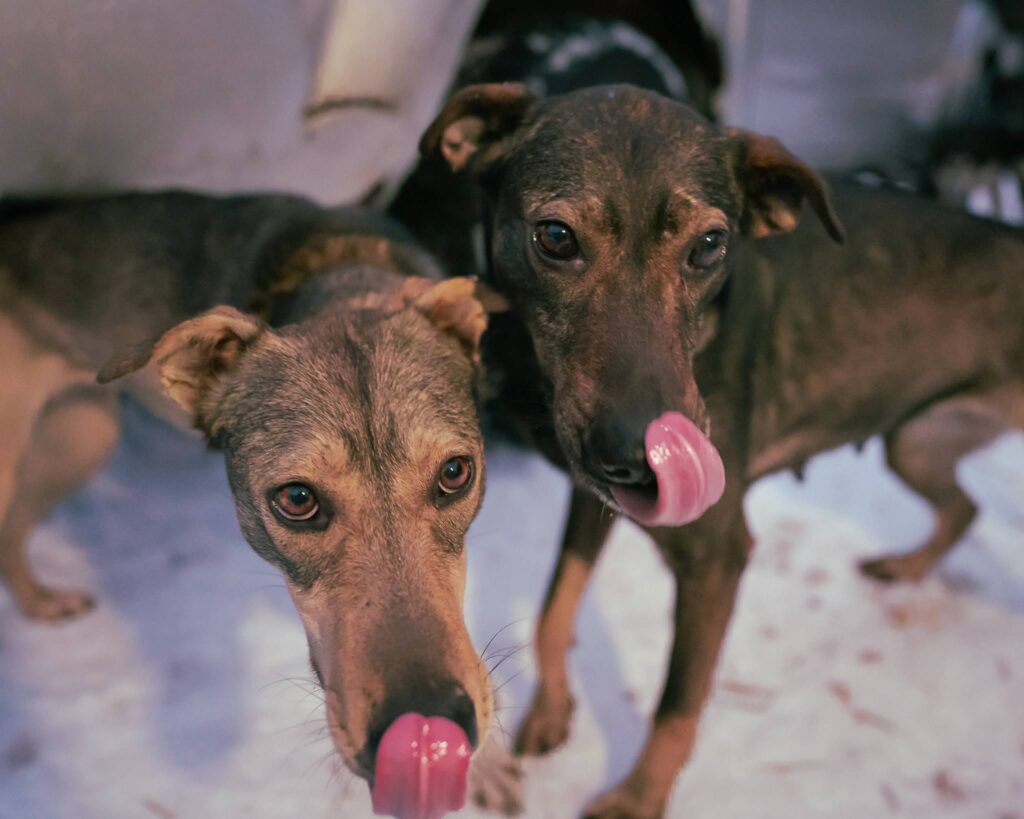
[(475, 128)]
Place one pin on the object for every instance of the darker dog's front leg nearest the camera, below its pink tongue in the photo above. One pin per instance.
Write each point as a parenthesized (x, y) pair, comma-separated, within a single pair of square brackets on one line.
[(708, 563)]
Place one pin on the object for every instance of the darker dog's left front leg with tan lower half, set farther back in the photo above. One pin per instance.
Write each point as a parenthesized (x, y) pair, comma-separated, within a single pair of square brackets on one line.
[(547, 723)]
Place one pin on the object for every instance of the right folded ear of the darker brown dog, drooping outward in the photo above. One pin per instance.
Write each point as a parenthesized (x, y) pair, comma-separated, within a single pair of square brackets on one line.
[(776, 185)]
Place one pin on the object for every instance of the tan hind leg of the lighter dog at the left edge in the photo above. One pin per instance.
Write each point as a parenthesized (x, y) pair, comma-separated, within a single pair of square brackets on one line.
[(71, 440)]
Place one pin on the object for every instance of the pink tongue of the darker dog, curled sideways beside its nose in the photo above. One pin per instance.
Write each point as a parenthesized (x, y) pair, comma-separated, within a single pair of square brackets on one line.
[(690, 473)]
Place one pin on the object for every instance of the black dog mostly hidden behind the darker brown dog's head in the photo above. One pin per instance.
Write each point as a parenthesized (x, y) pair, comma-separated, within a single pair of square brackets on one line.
[(553, 50)]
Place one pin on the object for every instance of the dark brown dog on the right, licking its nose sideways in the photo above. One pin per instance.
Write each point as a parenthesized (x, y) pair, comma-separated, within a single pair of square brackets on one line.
[(621, 229)]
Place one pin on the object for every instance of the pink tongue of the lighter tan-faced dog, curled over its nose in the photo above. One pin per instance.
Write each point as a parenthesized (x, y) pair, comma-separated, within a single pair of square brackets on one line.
[(421, 768)]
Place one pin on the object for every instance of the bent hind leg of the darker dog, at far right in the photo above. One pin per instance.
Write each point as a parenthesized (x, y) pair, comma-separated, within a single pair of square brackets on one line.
[(924, 453)]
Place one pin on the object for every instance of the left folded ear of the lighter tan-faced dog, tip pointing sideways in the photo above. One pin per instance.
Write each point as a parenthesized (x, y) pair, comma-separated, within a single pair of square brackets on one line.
[(192, 358)]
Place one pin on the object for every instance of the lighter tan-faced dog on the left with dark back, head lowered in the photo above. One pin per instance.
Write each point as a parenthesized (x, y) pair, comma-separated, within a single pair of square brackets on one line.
[(348, 419)]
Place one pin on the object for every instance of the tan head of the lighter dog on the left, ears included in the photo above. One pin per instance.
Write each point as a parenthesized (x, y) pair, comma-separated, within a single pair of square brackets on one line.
[(357, 464)]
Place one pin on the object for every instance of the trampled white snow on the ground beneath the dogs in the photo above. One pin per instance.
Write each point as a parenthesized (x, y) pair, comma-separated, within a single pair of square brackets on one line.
[(187, 694)]
